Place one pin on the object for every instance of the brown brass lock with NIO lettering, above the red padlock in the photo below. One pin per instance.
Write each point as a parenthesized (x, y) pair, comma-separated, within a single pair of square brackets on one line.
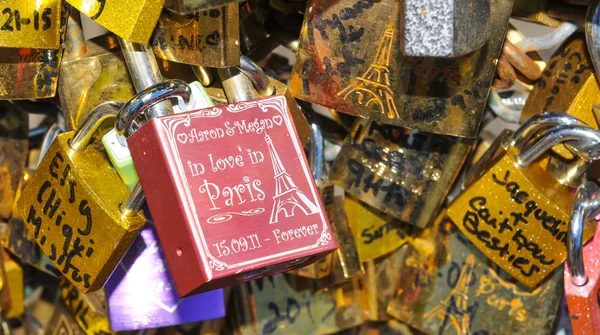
[(209, 38)]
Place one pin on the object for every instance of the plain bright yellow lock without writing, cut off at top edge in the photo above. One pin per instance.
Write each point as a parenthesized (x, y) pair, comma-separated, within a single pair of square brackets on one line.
[(133, 20)]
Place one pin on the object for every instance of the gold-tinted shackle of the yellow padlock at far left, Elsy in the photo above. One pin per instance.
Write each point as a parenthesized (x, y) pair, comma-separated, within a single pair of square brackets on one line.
[(92, 122)]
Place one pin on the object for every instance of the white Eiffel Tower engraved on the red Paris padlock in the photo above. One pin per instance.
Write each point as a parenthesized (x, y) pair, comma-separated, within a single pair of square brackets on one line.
[(287, 195)]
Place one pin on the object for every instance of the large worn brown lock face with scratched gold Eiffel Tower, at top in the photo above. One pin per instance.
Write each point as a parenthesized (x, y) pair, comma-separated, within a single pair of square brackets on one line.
[(349, 60)]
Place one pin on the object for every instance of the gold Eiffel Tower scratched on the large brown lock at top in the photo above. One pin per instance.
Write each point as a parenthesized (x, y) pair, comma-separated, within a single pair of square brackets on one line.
[(372, 89)]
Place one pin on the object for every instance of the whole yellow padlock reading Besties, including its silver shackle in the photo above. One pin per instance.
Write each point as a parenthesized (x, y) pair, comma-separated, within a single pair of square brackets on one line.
[(516, 212)]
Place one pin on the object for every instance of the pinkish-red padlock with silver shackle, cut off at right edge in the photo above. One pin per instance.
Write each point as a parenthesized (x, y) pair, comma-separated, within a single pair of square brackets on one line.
[(582, 272)]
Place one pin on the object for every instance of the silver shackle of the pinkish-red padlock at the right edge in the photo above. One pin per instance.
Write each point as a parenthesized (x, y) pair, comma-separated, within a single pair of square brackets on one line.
[(587, 207)]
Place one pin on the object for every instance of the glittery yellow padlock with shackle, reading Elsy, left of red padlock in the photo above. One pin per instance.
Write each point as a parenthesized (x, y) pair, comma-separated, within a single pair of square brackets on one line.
[(75, 206)]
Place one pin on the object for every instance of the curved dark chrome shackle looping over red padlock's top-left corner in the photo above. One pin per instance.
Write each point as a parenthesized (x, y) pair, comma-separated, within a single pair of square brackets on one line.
[(125, 123)]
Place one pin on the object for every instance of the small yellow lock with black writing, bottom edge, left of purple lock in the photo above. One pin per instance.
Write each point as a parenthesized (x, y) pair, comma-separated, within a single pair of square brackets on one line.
[(92, 319)]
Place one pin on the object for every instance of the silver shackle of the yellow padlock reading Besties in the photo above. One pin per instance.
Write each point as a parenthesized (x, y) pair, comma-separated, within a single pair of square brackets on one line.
[(584, 141)]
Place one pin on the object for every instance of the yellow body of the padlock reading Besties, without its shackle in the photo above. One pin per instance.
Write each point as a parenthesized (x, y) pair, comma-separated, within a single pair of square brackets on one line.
[(518, 217)]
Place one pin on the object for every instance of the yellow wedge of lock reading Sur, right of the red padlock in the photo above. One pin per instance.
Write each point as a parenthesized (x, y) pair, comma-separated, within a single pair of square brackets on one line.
[(375, 233)]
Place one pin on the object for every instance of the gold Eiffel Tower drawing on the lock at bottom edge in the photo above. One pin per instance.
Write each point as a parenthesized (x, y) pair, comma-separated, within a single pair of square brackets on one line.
[(454, 311)]
